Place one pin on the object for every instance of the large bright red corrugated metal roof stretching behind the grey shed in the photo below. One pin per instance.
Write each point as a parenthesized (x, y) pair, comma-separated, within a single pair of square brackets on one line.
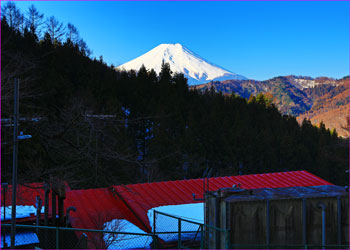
[(142, 197)]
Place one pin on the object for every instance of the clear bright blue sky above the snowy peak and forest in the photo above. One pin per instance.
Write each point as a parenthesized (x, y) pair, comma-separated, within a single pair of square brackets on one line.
[(259, 40)]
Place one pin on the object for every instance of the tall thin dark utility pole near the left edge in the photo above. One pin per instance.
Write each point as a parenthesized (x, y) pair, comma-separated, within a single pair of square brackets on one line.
[(14, 166)]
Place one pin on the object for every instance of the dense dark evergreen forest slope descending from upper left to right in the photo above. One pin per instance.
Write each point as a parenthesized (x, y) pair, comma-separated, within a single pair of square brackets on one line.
[(98, 126)]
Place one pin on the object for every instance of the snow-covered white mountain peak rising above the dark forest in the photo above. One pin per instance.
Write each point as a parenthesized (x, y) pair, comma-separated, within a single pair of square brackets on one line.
[(182, 60)]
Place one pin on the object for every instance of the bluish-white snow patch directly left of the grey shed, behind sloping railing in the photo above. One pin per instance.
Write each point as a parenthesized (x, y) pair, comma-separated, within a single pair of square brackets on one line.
[(189, 231)]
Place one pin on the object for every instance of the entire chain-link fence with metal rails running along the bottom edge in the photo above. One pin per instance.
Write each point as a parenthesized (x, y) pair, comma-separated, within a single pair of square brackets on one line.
[(169, 232)]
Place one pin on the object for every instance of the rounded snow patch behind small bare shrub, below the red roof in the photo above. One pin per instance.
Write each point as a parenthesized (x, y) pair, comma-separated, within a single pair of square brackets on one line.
[(122, 241)]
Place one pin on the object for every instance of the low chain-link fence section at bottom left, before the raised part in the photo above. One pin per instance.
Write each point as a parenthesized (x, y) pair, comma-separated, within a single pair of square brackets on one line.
[(28, 236)]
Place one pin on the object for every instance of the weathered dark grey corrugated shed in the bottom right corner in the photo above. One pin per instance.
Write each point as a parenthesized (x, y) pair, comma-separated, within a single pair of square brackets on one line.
[(280, 216)]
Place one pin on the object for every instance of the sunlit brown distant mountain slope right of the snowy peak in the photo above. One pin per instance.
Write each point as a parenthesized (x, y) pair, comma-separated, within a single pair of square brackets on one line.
[(320, 99)]
